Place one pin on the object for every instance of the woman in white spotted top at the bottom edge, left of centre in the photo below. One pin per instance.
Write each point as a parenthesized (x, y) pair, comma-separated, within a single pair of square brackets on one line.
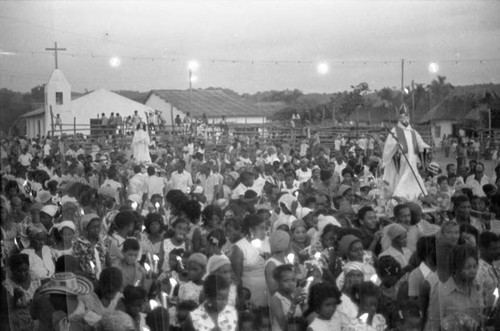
[(214, 313)]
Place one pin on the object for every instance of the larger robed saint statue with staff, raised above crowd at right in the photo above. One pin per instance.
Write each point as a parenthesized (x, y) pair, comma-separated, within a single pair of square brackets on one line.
[(401, 154)]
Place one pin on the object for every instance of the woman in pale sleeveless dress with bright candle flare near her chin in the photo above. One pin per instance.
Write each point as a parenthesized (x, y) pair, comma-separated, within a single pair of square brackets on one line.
[(249, 256)]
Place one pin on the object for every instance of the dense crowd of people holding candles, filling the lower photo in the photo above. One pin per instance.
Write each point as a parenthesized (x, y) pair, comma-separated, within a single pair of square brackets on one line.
[(250, 238)]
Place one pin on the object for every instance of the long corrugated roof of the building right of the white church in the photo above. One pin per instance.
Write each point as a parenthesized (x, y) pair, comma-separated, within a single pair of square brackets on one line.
[(213, 103)]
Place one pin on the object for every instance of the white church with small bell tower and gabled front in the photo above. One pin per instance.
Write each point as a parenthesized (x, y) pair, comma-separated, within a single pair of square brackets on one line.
[(76, 114)]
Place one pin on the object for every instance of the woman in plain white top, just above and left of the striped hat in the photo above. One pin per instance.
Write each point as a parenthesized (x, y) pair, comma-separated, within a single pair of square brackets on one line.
[(39, 254)]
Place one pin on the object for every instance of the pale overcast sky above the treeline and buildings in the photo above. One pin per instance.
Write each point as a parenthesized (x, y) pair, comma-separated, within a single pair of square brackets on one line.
[(249, 46)]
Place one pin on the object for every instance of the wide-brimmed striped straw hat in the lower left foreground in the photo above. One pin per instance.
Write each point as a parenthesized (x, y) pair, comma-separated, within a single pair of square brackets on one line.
[(67, 283)]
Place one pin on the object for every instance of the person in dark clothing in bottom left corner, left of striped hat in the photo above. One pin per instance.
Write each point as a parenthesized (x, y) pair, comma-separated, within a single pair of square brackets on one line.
[(20, 285)]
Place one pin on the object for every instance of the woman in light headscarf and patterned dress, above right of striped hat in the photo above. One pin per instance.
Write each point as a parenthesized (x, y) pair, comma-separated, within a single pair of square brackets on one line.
[(89, 247)]
